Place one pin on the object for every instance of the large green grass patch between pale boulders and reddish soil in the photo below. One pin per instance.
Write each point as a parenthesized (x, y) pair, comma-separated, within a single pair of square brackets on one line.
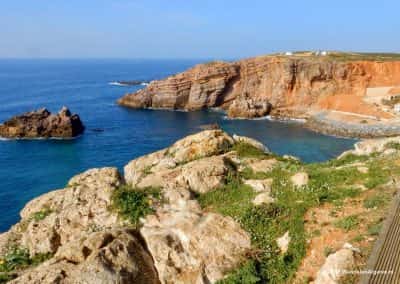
[(266, 223)]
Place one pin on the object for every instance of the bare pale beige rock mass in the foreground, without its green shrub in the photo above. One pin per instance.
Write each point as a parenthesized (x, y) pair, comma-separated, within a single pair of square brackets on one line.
[(177, 242)]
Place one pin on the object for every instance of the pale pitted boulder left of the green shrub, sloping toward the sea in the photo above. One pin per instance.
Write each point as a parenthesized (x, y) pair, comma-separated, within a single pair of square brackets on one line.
[(61, 216)]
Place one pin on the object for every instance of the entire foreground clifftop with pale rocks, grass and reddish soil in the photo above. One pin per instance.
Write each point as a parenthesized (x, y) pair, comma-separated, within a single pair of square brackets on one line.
[(211, 207)]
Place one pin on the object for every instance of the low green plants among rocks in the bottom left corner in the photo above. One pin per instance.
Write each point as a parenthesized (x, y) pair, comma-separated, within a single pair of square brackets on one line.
[(18, 258)]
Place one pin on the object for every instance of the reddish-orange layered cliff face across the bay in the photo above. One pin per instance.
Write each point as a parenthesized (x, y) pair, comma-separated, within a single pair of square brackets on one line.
[(286, 86)]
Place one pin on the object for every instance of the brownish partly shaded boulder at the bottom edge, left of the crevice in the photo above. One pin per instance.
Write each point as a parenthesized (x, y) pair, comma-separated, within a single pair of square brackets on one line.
[(113, 256)]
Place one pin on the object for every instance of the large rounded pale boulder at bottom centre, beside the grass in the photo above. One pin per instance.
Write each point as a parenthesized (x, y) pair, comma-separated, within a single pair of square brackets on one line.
[(191, 246)]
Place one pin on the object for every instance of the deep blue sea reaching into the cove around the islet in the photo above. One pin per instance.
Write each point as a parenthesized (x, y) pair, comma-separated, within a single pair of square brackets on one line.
[(31, 168)]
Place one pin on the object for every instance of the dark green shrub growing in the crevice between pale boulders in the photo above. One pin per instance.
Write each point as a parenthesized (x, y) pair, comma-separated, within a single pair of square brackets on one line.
[(132, 203)]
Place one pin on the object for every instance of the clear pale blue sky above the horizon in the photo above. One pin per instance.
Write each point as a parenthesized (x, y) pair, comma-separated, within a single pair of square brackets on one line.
[(193, 28)]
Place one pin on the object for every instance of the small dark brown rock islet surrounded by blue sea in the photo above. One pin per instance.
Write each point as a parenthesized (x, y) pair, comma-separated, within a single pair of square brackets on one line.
[(42, 124)]
